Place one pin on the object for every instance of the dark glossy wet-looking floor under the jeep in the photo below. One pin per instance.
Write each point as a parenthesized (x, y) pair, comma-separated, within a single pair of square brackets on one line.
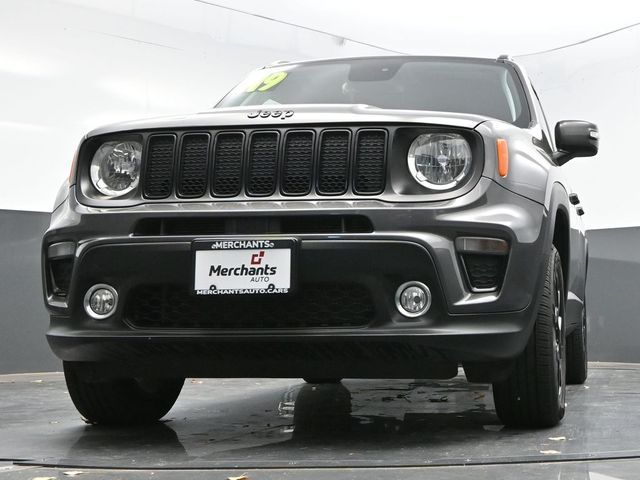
[(360, 429)]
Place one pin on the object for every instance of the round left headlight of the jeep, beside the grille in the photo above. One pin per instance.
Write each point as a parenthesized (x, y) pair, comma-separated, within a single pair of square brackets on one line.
[(115, 168)]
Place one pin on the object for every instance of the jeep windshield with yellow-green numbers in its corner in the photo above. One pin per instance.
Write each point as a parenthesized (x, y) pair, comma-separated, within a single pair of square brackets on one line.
[(446, 85)]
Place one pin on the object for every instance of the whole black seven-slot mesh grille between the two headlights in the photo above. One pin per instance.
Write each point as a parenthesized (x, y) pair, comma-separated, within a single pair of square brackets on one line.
[(263, 163)]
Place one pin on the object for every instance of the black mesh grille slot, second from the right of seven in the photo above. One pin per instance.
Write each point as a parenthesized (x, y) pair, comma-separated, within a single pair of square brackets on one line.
[(334, 162)]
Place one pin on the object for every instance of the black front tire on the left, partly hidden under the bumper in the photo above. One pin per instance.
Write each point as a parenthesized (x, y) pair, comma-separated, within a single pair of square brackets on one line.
[(121, 401)]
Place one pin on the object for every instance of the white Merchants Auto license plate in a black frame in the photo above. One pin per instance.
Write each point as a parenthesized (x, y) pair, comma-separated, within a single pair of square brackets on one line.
[(243, 266)]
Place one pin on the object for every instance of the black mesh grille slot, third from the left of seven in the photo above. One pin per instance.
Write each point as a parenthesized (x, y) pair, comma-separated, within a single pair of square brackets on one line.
[(227, 164)]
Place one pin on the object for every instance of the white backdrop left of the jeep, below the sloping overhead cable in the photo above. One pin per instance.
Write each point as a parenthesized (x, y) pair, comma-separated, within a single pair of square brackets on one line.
[(67, 67)]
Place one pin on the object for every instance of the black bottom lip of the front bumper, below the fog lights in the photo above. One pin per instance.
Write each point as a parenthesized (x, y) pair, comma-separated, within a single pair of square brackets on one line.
[(294, 356)]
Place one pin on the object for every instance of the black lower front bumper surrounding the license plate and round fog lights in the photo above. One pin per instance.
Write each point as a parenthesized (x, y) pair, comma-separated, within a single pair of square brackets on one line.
[(364, 336)]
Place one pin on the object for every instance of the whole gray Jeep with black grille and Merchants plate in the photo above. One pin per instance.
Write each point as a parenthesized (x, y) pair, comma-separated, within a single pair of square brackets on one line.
[(384, 217)]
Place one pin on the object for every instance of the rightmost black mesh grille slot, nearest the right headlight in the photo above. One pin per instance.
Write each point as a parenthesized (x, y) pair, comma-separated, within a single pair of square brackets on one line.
[(369, 168)]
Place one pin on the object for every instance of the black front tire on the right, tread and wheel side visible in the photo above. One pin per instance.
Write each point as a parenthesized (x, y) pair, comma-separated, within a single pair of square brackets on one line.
[(534, 394)]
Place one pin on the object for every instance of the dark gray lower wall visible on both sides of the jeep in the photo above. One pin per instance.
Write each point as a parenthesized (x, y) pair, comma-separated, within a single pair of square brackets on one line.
[(612, 295)]
